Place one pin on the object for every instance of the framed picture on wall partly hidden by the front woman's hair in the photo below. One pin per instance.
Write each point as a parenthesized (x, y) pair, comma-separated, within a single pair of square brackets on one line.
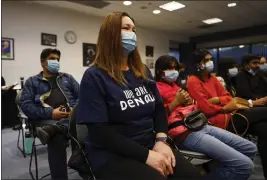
[(89, 53)]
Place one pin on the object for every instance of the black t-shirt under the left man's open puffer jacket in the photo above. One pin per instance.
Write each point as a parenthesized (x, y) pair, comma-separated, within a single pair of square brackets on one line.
[(56, 97)]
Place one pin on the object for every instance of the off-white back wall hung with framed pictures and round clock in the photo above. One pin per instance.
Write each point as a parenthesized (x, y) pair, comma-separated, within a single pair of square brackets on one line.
[(25, 22)]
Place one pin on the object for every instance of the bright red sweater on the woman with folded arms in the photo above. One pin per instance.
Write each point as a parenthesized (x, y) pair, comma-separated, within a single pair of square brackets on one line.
[(203, 91)]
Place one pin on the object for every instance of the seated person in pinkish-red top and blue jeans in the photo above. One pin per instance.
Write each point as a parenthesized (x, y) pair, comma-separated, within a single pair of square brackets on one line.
[(234, 152)]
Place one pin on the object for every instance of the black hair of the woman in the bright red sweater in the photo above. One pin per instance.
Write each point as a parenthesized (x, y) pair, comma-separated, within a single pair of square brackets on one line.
[(197, 56)]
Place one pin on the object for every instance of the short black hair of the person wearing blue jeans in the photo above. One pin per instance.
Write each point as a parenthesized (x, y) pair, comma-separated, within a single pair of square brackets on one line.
[(164, 63)]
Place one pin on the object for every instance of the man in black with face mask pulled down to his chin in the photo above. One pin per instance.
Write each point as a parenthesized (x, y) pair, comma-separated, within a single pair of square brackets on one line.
[(250, 82)]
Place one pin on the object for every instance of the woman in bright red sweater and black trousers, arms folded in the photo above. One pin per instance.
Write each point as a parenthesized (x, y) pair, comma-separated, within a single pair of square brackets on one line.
[(212, 100)]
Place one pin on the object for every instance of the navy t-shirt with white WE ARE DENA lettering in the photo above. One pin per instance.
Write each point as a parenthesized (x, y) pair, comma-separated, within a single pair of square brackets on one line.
[(129, 110)]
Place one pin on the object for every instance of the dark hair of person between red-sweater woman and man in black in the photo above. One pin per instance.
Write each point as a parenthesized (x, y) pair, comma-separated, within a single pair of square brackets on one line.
[(224, 64)]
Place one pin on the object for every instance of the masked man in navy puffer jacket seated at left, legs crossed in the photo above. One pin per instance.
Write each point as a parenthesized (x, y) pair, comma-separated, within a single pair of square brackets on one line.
[(42, 99)]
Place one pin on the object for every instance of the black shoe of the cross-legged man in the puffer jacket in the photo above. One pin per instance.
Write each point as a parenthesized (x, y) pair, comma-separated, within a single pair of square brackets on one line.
[(48, 132)]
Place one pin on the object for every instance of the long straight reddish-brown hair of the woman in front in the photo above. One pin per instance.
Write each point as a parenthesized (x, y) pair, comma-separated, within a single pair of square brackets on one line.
[(110, 50)]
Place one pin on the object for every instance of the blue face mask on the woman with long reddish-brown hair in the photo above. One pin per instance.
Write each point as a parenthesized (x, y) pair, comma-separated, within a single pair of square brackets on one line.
[(128, 42)]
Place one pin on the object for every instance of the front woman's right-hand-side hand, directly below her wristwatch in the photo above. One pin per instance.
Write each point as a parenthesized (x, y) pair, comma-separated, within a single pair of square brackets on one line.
[(166, 151)]
